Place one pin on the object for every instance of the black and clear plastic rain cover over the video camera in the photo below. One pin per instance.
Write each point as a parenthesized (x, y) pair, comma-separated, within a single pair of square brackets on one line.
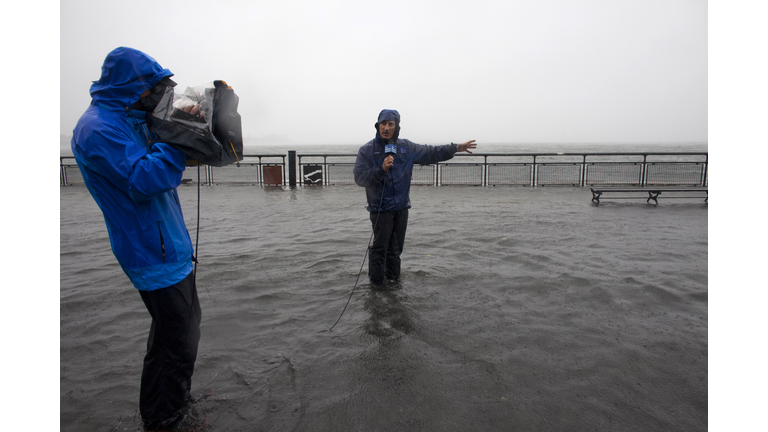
[(213, 136)]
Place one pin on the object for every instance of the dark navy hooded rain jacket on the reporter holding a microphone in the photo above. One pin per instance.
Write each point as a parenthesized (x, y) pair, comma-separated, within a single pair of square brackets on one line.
[(396, 184)]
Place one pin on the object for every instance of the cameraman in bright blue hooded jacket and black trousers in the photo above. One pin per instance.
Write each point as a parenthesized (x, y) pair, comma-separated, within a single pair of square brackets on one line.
[(133, 181)]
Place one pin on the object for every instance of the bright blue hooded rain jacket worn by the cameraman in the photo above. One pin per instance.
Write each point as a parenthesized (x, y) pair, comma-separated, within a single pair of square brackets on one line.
[(132, 180)]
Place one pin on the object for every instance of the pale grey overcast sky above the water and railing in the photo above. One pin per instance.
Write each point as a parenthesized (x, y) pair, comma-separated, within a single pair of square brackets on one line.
[(529, 71)]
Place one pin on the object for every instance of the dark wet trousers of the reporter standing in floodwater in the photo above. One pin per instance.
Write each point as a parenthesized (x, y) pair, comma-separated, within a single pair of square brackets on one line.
[(388, 239)]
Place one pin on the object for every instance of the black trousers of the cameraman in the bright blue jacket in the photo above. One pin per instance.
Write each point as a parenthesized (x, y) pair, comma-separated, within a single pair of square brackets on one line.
[(166, 380)]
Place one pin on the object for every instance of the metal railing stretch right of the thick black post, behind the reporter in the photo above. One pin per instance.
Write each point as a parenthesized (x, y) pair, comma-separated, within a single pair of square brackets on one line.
[(529, 169)]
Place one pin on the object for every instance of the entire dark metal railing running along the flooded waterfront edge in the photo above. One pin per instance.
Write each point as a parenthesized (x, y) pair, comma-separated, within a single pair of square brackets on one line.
[(487, 169)]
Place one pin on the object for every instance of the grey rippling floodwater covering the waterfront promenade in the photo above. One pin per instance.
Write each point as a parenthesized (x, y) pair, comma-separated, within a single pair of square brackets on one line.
[(519, 309)]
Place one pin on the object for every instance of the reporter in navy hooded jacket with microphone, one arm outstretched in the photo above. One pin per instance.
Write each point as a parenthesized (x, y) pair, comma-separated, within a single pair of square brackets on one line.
[(384, 166)]
